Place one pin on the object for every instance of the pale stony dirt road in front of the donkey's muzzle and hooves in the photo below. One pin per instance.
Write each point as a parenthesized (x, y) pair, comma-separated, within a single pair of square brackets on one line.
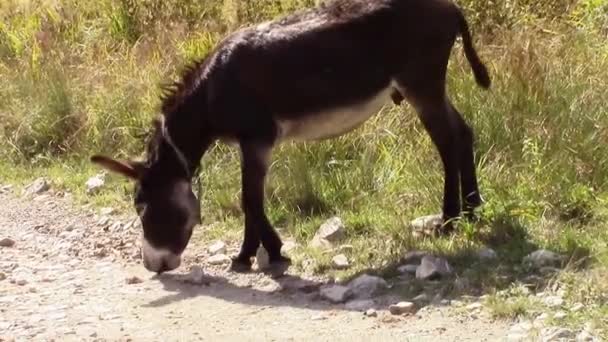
[(74, 276)]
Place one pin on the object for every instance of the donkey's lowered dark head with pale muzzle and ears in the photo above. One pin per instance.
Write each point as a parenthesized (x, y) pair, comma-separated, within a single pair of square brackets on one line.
[(163, 200)]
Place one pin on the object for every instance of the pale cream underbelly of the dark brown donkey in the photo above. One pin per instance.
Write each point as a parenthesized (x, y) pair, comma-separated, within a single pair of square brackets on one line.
[(333, 122)]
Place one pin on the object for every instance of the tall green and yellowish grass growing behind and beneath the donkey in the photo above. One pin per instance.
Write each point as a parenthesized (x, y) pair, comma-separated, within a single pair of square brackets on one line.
[(79, 78)]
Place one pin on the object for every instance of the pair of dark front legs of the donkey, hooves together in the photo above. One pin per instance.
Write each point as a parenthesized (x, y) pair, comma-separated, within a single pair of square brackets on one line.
[(254, 166)]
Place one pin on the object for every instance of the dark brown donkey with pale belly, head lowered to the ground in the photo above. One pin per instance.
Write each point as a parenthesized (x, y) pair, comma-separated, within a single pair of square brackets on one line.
[(315, 74)]
